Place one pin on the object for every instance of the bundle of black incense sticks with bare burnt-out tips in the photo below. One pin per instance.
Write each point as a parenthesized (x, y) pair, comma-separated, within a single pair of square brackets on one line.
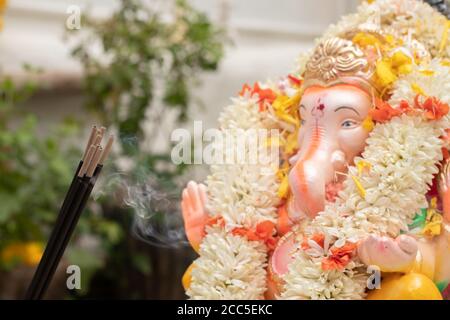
[(74, 203)]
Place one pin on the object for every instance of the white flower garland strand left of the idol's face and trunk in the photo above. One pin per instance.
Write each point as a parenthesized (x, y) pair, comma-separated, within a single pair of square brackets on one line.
[(230, 266)]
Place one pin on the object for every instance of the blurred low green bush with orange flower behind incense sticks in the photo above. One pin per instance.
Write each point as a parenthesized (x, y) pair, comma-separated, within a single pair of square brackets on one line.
[(35, 173)]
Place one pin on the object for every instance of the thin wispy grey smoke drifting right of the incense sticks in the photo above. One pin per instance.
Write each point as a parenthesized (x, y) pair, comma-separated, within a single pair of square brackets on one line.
[(155, 201)]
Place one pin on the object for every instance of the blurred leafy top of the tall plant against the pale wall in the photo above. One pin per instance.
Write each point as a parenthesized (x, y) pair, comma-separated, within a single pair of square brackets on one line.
[(140, 49)]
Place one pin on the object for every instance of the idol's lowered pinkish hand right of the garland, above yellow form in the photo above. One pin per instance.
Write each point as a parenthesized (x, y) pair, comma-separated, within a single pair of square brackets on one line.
[(390, 255)]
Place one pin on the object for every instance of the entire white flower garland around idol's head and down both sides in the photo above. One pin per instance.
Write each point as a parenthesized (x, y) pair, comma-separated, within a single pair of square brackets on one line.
[(403, 155)]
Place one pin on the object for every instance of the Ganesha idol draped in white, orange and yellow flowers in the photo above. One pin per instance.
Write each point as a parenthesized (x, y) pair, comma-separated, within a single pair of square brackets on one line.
[(362, 188)]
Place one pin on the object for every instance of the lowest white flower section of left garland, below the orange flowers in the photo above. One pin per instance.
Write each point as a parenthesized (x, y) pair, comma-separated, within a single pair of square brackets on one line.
[(229, 267)]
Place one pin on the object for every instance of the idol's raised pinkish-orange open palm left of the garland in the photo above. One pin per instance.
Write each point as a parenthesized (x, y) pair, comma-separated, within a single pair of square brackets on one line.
[(195, 215)]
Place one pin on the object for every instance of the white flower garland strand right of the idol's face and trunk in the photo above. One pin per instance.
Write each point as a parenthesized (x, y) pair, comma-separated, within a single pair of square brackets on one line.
[(403, 155)]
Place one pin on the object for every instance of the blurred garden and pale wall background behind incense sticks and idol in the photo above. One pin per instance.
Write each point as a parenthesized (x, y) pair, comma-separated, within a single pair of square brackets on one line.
[(141, 68)]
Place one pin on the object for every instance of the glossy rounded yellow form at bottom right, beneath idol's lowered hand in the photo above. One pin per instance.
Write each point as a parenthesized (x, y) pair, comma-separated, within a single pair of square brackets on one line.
[(412, 286)]
